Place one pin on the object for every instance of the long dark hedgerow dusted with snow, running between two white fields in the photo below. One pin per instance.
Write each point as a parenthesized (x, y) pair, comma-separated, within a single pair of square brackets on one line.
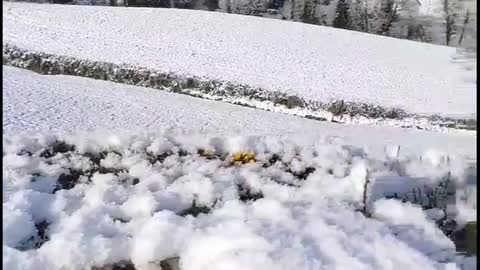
[(334, 110)]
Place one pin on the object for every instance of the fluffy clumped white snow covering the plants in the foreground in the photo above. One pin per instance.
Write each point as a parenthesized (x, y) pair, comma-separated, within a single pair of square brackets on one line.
[(299, 224)]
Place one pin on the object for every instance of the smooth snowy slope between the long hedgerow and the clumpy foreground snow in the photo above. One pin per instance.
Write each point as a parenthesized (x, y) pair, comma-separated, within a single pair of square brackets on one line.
[(39, 103)]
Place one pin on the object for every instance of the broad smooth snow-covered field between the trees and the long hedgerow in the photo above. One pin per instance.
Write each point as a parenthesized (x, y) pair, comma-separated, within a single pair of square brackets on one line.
[(313, 62)]
